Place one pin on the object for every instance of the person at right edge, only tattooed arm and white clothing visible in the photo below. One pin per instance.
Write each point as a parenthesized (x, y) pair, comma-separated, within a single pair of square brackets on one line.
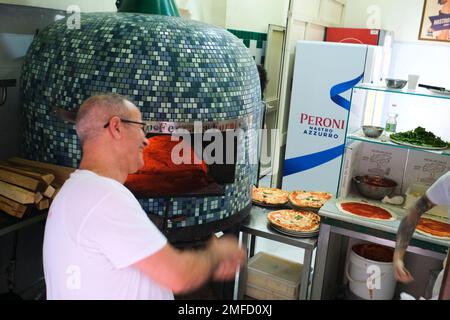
[(437, 194)]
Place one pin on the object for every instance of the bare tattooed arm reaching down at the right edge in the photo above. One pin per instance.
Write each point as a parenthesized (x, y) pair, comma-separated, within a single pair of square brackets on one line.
[(404, 235)]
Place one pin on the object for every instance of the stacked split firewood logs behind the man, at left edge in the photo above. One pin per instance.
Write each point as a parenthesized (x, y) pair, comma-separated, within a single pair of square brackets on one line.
[(25, 184)]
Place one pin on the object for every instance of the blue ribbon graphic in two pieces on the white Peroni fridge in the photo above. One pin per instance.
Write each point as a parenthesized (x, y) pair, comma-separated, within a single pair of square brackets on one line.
[(310, 161)]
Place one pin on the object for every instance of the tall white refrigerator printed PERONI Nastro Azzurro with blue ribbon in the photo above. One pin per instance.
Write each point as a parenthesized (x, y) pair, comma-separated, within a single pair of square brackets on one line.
[(320, 112)]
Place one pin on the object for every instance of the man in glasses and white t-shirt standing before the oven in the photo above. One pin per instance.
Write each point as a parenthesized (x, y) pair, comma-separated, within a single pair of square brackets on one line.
[(99, 243)]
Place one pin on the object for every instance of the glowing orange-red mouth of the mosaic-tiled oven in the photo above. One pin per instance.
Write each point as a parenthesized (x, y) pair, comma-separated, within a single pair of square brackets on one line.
[(187, 164)]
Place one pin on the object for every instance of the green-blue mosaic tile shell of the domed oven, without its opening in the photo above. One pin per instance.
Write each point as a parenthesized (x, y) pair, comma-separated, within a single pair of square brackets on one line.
[(174, 69)]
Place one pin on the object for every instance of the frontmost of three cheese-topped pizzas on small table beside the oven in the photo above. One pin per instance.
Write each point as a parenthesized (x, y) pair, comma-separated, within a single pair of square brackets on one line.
[(293, 220)]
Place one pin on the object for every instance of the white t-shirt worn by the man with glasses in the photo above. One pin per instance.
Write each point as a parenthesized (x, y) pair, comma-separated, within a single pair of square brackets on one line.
[(95, 231)]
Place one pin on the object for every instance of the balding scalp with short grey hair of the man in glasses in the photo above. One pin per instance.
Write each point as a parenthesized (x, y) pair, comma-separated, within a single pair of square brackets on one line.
[(98, 110)]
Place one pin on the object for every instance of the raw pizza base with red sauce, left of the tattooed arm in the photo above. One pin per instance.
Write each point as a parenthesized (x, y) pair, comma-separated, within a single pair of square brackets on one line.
[(365, 210)]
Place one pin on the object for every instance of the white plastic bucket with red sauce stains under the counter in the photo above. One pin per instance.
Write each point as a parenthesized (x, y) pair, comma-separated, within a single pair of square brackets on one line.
[(370, 272)]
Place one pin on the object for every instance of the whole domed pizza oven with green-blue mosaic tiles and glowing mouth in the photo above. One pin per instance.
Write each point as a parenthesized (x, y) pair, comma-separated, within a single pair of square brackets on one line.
[(186, 77)]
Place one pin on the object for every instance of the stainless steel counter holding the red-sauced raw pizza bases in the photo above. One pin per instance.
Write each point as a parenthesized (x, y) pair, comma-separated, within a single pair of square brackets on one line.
[(337, 227)]
